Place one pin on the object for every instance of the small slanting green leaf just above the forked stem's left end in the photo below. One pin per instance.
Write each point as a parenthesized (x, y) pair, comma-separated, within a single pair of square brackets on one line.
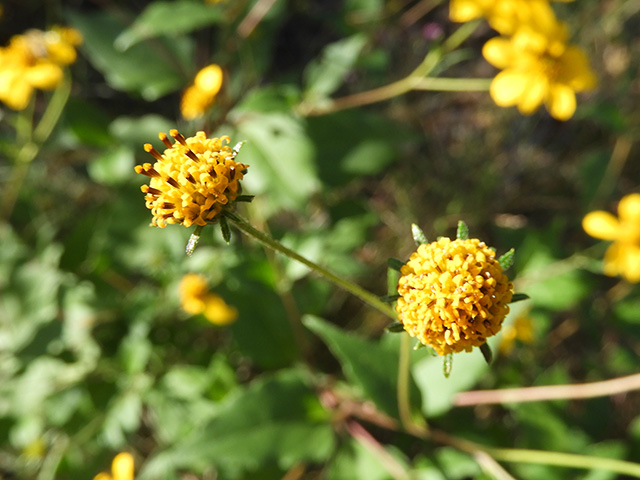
[(323, 76)]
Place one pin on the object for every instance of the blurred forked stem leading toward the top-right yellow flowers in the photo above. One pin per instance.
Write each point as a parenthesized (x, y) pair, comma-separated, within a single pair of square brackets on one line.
[(399, 87)]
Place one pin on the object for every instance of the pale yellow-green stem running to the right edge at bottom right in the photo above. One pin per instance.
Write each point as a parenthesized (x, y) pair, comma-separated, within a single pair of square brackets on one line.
[(568, 460)]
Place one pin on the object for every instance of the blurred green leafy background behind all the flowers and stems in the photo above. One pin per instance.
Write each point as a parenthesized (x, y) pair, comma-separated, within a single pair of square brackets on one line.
[(96, 355)]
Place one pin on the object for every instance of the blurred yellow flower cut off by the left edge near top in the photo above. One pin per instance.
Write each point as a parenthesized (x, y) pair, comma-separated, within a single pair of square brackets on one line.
[(35, 60)]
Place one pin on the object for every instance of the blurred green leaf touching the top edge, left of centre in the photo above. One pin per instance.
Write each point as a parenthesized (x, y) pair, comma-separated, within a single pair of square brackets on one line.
[(169, 19)]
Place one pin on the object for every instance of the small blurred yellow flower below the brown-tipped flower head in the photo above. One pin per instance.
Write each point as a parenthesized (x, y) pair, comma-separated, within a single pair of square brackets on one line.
[(195, 299)]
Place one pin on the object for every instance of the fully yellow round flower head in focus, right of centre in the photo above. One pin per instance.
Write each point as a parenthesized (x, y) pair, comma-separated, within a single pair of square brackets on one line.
[(453, 295)]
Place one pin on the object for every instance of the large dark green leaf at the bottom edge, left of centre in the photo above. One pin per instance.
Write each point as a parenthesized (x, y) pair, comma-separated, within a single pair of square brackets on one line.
[(278, 419)]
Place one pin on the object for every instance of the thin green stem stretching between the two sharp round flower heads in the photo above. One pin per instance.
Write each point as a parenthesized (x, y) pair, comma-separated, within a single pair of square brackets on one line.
[(350, 287)]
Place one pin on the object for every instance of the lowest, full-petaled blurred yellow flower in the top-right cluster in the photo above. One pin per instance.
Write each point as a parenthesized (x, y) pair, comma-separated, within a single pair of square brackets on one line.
[(538, 69)]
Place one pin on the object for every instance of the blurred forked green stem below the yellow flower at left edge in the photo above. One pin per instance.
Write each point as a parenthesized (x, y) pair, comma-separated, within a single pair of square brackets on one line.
[(31, 141)]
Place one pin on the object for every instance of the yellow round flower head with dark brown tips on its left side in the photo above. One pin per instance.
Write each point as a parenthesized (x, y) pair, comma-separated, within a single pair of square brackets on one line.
[(192, 181)]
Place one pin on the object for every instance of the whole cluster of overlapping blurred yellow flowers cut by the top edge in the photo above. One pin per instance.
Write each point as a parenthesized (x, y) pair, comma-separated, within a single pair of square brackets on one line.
[(538, 65)]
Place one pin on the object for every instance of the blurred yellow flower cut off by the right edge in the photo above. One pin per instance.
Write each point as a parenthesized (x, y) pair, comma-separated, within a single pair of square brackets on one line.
[(623, 256)]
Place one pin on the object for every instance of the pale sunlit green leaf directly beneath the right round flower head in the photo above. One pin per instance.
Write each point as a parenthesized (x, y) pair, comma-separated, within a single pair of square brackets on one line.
[(437, 391)]
